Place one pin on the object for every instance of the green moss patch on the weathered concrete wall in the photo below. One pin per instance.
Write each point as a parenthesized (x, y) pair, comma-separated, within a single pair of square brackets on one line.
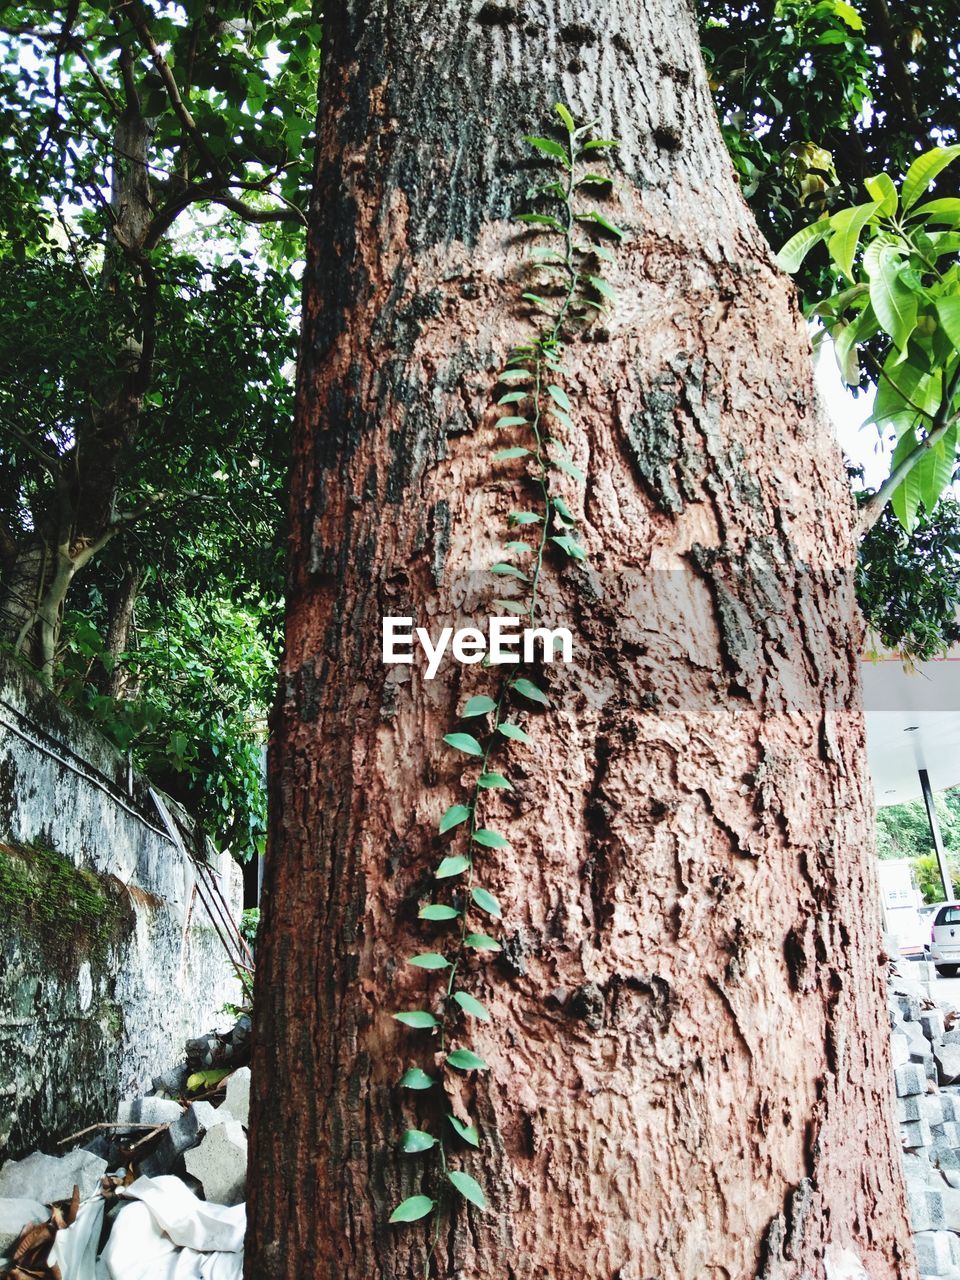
[(71, 912)]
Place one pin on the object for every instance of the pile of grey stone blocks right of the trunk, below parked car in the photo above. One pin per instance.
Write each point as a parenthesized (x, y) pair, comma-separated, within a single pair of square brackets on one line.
[(926, 1045)]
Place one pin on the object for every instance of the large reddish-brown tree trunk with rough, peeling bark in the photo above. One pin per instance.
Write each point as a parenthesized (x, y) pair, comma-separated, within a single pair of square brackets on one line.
[(689, 1073)]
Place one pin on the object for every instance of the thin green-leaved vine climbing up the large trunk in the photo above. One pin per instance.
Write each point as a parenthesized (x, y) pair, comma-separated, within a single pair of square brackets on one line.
[(568, 290)]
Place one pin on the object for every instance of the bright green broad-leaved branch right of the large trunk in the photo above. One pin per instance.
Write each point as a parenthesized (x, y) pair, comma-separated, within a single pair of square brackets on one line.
[(895, 303)]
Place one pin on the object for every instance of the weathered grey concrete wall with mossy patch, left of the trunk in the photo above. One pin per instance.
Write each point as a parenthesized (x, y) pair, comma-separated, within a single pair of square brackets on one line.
[(108, 957)]
